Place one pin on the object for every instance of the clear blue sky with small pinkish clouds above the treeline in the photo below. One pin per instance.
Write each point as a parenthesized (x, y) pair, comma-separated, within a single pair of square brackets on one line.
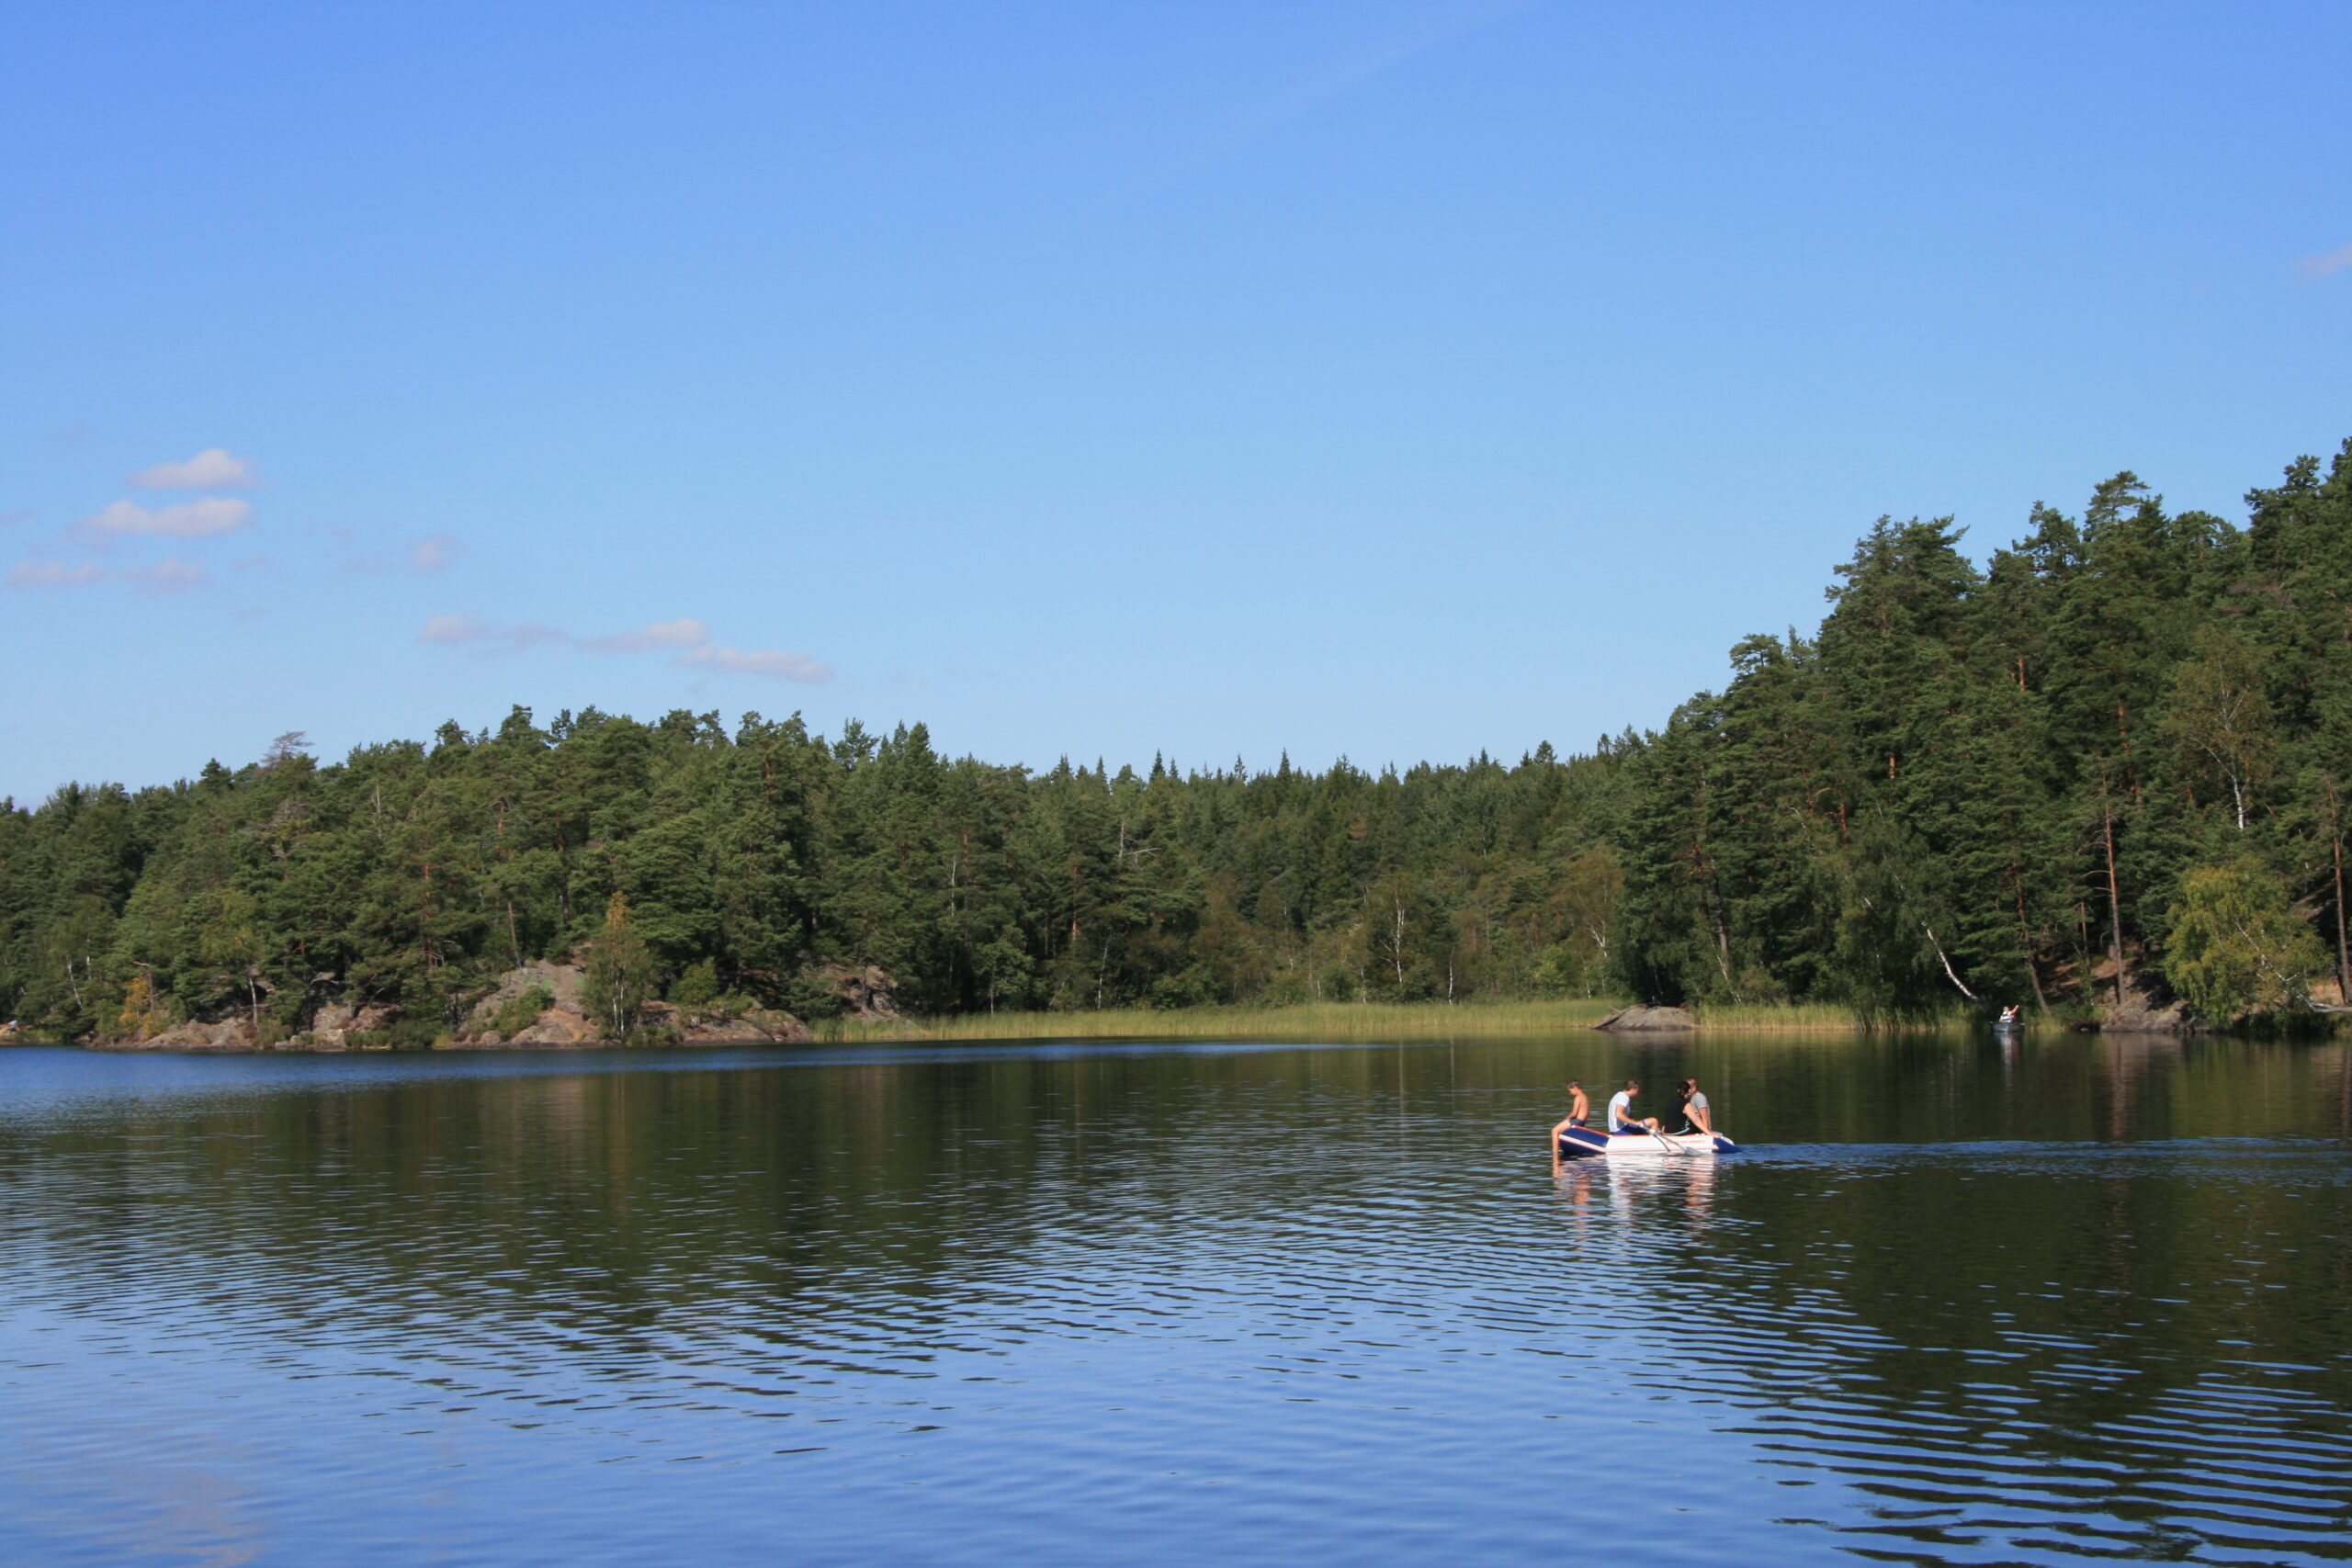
[(1361, 380)]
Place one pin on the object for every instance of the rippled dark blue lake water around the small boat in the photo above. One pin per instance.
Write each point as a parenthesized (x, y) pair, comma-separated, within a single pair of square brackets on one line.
[(1064, 1304)]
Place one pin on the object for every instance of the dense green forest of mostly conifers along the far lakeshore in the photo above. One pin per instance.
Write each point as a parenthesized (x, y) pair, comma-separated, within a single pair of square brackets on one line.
[(2106, 770)]
